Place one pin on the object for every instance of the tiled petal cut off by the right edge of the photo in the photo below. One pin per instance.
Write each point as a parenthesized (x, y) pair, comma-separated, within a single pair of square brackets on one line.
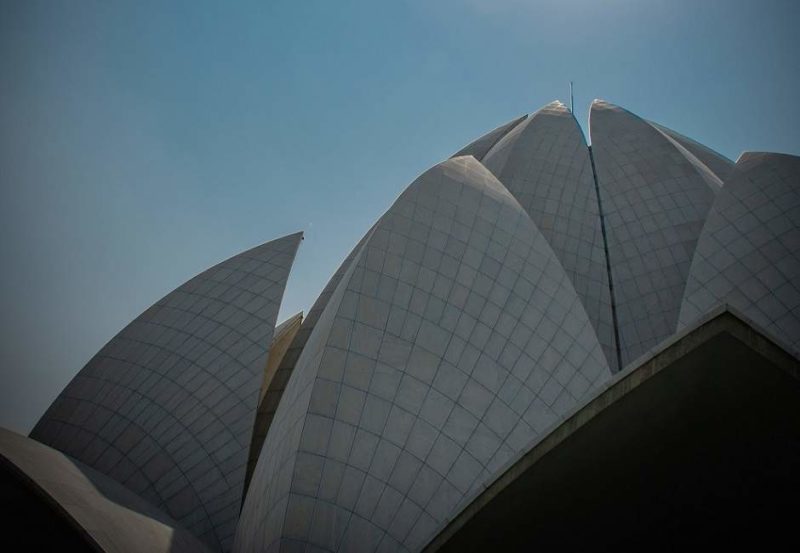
[(748, 254)]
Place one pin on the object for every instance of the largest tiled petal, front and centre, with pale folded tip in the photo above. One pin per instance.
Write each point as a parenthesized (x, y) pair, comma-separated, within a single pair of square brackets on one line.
[(452, 342)]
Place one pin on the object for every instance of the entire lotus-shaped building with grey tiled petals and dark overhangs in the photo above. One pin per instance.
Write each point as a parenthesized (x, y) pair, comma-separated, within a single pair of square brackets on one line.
[(542, 345)]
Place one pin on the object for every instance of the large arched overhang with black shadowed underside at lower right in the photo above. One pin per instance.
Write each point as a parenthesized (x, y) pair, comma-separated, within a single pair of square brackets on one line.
[(696, 445)]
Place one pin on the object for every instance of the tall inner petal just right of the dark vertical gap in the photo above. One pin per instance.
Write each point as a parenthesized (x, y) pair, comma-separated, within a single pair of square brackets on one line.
[(655, 202)]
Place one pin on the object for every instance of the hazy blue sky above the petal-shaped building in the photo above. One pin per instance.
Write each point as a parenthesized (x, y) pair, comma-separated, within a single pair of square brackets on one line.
[(142, 142)]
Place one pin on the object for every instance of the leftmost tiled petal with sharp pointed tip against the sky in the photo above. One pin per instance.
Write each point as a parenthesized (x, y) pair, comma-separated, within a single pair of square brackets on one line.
[(167, 406)]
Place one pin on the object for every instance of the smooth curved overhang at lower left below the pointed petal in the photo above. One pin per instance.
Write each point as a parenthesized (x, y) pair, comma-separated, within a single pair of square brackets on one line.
[(55, 503)]
